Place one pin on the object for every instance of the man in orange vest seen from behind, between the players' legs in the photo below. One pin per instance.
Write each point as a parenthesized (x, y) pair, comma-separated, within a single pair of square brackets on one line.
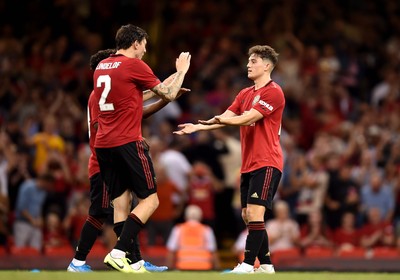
[(192, 245)]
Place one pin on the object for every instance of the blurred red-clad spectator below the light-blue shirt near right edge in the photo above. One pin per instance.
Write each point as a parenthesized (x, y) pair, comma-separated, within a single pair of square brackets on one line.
[(376, 231)]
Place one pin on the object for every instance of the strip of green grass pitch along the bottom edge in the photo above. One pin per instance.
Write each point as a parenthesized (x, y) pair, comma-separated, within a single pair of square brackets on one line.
[(173, 275)]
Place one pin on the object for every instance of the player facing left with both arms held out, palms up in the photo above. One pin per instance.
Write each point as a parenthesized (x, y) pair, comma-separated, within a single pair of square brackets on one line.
[(258, 111)]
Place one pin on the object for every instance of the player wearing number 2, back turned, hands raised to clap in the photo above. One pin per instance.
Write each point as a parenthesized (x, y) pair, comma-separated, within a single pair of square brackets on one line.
[(122, 153)]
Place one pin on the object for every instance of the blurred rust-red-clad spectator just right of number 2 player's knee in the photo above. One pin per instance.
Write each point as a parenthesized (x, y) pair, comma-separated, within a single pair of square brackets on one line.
[(161, 222)]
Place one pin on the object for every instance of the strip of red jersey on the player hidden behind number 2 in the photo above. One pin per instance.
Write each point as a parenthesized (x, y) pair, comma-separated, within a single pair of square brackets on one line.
[(93, 114)]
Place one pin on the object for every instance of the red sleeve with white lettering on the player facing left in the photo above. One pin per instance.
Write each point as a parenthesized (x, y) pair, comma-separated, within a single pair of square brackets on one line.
[(270, 100)]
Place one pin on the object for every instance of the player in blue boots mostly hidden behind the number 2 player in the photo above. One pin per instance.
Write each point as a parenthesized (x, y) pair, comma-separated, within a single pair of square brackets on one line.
[(100, 208)]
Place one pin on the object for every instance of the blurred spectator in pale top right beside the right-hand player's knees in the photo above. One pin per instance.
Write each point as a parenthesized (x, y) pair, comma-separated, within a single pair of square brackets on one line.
[(283, 232)]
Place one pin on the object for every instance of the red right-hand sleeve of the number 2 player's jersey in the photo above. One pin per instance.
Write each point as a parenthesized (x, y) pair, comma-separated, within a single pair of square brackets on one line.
[(143, 75)]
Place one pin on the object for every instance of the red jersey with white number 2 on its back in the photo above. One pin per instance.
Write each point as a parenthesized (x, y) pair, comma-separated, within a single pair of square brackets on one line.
[(119, 82)]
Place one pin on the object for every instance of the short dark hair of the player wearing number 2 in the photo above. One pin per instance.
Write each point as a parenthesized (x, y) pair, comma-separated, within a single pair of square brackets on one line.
[(127, 35)]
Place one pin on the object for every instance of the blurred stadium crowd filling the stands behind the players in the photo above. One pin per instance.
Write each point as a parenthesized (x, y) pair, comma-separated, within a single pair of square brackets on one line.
[(339, 67)]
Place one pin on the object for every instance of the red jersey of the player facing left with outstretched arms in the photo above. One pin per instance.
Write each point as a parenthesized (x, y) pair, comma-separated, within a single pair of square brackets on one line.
[(260, 141)]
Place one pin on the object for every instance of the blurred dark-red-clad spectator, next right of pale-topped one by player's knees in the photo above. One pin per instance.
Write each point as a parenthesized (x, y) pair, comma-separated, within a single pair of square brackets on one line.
[(315, 232)]
